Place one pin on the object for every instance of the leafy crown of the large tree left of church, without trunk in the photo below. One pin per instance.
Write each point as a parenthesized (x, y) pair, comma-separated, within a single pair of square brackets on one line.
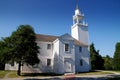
[(24, 45)]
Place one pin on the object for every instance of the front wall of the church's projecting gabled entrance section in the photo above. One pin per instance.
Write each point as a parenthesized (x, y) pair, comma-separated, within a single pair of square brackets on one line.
[(67, 56)]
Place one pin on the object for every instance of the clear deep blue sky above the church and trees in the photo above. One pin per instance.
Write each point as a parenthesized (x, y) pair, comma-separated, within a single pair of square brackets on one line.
[(54, 17)]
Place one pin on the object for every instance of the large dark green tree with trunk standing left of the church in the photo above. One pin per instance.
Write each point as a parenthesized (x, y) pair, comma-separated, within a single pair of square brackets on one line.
[(22, 47)]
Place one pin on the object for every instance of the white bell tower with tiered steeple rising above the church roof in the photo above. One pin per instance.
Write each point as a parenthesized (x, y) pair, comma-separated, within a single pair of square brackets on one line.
[(79, 29)]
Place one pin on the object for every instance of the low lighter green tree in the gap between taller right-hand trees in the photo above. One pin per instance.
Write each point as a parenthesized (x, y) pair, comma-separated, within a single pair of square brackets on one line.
[(108, 63)]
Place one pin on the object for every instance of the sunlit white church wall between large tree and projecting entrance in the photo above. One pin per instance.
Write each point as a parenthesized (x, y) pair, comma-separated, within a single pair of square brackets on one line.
[(44, 54)]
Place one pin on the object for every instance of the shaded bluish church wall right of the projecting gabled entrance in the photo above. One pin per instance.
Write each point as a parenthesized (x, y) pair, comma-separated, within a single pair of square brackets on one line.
[(85, 56)]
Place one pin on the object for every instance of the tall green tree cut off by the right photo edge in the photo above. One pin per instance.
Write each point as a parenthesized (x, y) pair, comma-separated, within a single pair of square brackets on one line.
[(116, 59)]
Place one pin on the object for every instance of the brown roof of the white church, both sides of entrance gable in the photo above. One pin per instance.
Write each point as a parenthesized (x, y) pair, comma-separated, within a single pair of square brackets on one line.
[(51, 38)]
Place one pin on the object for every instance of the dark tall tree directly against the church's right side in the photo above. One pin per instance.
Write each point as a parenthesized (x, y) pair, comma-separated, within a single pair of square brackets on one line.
[(95, 58)]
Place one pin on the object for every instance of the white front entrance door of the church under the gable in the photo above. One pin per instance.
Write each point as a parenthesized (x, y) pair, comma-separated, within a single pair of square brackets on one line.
[(68, 65)]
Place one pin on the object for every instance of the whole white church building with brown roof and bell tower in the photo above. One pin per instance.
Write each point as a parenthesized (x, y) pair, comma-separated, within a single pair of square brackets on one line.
[(62, 54)]
